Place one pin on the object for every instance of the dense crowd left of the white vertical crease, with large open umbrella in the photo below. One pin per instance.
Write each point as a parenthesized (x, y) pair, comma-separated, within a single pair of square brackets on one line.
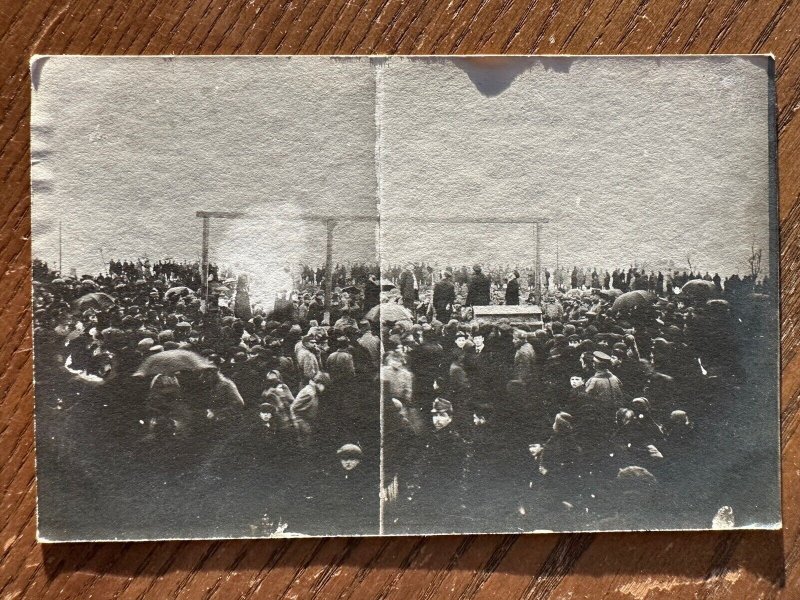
[(273, 412)]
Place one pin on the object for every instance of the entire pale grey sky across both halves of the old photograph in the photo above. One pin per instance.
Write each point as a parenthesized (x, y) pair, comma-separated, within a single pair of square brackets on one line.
[(630, 158)]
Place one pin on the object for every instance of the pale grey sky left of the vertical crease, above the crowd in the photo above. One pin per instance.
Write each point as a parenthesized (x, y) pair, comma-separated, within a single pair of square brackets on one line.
[(126, 150)]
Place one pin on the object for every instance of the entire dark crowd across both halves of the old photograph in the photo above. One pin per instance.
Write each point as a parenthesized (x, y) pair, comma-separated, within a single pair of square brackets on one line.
[(207, 407)]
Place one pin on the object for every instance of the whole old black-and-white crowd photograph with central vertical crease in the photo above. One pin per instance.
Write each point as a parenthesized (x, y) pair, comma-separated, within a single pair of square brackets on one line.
[(357, 296)]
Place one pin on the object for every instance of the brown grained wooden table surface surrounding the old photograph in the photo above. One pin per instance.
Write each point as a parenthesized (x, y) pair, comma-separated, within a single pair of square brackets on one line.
[(637, 565)]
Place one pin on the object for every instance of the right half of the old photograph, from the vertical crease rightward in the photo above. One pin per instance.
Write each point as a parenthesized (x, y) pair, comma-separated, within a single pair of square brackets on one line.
[(587, 251)]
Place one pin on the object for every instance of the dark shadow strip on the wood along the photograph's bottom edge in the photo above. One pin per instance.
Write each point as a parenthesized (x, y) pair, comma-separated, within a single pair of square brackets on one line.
[(696, 556)]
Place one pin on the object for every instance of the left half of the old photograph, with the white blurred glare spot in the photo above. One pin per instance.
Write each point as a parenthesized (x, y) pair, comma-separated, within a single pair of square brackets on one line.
[(205, 290)]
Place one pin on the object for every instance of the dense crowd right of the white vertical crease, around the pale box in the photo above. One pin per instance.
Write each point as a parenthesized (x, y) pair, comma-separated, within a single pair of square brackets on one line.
[(612, 406)]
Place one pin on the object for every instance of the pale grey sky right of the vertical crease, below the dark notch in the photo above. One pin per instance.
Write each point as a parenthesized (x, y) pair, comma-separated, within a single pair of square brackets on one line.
[(631, 159)]
